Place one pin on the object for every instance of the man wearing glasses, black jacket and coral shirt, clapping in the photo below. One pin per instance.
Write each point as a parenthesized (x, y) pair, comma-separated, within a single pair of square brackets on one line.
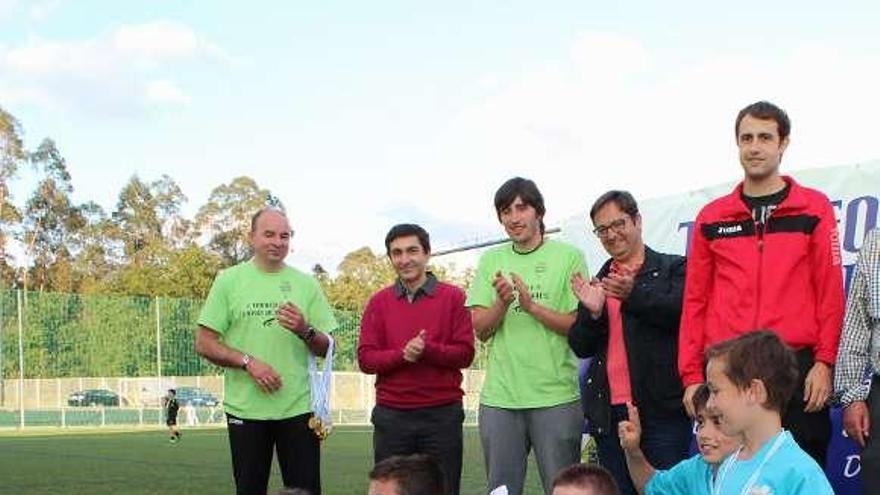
[(628, 320)]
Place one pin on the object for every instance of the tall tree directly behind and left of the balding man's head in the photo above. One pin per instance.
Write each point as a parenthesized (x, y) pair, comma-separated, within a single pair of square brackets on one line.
[(226, 218)]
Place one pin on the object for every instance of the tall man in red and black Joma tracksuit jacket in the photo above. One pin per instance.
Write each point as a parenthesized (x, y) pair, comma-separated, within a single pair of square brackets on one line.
[(767, 256)]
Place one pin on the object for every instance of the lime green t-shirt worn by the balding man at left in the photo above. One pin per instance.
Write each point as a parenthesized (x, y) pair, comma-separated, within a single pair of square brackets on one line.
[(241, 307)]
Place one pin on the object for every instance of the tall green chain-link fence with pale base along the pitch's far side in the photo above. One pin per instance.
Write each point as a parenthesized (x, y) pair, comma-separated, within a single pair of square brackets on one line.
[(97, 360)]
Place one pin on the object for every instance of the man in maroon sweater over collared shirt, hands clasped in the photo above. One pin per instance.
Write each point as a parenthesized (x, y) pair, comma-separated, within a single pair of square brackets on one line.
[(416, 336)]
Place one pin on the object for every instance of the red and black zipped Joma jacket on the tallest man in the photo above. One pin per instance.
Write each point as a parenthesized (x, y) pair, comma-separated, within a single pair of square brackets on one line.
[(784, 276)]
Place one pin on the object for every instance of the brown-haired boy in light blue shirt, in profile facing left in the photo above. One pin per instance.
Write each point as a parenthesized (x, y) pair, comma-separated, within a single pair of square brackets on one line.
[(751, 379)]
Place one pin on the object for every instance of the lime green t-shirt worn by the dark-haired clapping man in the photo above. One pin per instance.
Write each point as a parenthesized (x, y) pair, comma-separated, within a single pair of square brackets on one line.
[(529, 365)]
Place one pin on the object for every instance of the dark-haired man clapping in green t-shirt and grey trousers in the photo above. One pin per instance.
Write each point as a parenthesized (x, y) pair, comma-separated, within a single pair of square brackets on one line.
[(522, 307)]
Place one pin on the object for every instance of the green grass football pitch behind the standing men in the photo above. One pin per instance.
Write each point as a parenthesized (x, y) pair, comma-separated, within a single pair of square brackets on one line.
[(142, 462)]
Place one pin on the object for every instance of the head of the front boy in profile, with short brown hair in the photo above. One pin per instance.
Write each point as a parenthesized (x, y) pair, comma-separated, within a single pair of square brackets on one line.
[(750, 378)]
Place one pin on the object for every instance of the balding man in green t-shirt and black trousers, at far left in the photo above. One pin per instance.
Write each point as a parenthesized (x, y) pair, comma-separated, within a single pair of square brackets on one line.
[(261, 321)]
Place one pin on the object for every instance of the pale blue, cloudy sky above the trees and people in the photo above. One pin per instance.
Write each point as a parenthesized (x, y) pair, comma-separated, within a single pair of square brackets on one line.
[(364, 114)]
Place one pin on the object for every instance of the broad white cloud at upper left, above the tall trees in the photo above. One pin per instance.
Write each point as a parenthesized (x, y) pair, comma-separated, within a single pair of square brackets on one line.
[(125, 71)]
